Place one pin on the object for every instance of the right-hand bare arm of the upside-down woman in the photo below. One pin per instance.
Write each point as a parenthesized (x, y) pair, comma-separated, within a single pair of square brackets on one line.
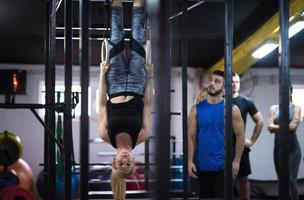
[(145, 131)]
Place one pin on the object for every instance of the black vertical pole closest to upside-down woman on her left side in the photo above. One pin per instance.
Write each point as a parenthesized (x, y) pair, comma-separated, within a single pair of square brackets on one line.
[(84, 119)]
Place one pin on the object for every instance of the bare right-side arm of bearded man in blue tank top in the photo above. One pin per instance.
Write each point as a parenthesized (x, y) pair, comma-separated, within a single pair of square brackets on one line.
[(238, 127)]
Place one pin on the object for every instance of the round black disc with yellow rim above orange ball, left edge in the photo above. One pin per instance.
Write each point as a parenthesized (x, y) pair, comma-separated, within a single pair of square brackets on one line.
[(11, 148)]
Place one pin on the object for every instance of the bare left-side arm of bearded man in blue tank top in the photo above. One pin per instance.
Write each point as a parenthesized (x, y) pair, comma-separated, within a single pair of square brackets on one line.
[(192, 131)]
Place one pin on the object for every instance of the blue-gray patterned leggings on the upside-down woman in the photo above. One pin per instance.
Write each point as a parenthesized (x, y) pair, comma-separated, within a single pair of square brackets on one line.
[(127, 75)]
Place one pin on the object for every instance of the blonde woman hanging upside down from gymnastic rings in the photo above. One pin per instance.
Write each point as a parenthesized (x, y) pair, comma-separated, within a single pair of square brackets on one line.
[(124, 119)]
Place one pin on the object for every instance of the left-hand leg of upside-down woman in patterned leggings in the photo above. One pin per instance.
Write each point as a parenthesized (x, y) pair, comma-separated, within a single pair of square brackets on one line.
[(116, 77)]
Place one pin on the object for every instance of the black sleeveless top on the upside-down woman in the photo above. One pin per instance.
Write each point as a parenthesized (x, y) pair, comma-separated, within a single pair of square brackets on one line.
[(125, 117)]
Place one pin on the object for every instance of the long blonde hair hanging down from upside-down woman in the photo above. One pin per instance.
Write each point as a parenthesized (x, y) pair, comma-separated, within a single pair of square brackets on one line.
[(118, 181)]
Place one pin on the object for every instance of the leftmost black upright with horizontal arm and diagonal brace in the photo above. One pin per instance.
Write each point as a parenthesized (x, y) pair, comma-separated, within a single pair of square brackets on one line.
[(49, 124)]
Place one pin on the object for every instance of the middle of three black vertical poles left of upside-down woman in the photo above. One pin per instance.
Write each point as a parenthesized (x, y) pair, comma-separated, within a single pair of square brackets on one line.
[(67, 137)]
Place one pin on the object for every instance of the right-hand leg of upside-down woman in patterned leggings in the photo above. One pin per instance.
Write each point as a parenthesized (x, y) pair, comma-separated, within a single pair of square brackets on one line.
[(136, 70)]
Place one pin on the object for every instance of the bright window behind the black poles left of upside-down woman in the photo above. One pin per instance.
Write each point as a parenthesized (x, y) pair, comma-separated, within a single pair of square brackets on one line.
[(60, 88)]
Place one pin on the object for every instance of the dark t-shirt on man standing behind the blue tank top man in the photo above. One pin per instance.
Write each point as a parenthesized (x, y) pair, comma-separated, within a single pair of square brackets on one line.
[(245, 105)]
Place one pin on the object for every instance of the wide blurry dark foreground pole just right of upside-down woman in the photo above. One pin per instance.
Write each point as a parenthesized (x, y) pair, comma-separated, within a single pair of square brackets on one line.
[(160, 35)]
